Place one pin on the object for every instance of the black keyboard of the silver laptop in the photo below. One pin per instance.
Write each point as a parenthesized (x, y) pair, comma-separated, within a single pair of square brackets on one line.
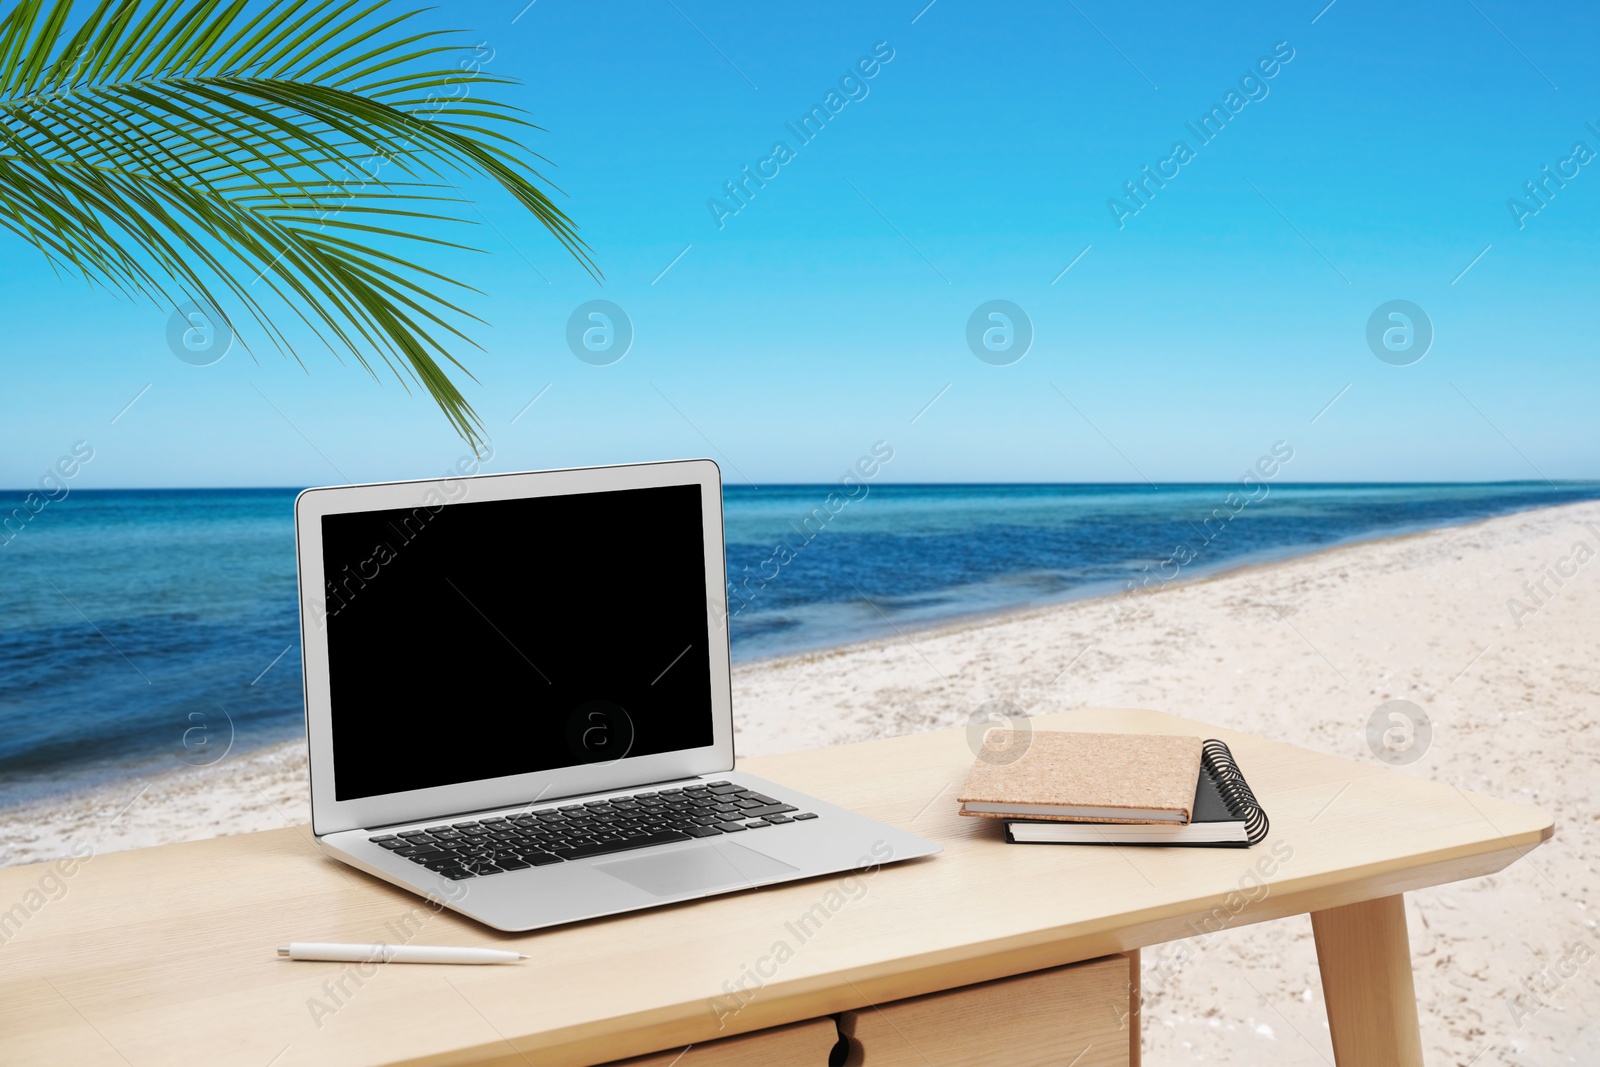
[(594, 828)]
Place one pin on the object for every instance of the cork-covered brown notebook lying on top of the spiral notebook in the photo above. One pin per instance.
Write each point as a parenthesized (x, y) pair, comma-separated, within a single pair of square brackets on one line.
[(1084, 778)]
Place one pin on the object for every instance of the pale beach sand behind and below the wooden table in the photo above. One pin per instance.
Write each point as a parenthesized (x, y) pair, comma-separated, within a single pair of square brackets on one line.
[(1302, 650)]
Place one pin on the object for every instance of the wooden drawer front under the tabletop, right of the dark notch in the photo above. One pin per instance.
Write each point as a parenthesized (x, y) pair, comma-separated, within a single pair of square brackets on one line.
[(1070, 1015)]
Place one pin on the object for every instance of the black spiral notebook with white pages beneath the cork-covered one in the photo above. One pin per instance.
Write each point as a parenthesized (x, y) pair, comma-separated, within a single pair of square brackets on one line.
[(1225, 815)]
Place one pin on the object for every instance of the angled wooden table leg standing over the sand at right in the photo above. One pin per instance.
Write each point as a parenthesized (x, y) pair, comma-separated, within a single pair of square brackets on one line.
[(1366, 962)]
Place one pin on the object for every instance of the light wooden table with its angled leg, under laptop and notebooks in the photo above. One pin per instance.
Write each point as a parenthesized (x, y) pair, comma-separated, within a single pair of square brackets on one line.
[(167, 956)]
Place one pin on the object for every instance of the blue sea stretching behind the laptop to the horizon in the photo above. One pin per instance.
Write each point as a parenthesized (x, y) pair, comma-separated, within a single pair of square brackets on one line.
[(148, 629)]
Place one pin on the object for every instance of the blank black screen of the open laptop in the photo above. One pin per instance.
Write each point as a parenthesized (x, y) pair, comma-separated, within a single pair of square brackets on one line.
[(487, 639)]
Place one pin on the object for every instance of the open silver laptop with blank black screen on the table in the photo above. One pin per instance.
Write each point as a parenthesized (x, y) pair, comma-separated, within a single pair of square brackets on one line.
[(519, 700)]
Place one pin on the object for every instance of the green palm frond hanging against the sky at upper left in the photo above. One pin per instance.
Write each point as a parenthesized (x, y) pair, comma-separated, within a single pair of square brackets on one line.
[(188, 150)]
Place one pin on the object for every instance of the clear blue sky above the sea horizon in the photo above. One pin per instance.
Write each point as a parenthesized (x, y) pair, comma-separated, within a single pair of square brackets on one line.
[(1222, 318)]
